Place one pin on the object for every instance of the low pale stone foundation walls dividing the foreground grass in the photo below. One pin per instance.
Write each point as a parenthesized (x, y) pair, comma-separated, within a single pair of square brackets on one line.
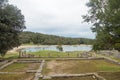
[(39, 75)]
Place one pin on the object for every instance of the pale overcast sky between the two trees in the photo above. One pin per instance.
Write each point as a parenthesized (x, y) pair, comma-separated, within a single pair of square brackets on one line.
[(57, 17)]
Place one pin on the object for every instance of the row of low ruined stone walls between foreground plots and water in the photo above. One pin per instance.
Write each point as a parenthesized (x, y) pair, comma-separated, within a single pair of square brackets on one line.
[(84, 54)]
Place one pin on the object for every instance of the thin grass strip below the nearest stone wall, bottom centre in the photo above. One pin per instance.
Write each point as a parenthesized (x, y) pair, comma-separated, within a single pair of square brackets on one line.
[(72, 78)]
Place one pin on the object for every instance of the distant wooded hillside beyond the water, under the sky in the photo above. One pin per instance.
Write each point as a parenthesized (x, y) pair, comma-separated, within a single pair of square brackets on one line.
[(44, 39)]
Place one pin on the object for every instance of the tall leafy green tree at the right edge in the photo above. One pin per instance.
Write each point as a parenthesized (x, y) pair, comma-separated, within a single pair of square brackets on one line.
[(105, 17)]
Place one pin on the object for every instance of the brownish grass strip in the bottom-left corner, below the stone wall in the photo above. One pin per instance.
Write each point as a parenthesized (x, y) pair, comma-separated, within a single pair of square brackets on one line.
[(27, 76)]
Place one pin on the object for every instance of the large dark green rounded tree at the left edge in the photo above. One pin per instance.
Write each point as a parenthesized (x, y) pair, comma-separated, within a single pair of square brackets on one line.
[(11, 24)]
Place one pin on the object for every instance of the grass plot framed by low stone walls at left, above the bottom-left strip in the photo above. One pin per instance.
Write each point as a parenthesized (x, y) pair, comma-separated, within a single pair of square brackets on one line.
[(21, 67)]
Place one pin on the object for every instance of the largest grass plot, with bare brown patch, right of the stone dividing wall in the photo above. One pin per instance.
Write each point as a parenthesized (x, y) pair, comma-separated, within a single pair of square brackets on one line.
[(78, 66)]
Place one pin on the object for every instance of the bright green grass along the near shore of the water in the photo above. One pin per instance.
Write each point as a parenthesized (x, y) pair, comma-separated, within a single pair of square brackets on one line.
[(45, 53)]
